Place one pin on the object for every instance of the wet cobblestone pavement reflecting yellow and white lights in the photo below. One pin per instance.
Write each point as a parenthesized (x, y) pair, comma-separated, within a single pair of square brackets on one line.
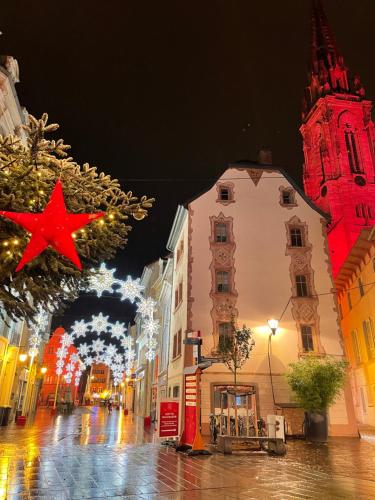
[(94, 455)]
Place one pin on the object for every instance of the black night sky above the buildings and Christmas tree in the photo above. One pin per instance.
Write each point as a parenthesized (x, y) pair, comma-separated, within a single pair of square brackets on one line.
[(164, 94)]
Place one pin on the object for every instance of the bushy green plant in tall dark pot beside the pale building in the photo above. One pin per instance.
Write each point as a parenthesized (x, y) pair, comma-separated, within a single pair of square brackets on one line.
[(316, 383)]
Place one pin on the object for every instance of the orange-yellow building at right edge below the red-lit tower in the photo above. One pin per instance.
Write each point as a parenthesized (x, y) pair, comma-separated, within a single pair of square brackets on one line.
[(356, 295)]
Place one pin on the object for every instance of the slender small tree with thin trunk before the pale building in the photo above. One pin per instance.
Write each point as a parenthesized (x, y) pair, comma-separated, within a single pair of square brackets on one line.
[(234, 349)]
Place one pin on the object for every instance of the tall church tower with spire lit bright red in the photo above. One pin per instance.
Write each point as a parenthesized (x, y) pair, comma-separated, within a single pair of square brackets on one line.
[(338, 143)]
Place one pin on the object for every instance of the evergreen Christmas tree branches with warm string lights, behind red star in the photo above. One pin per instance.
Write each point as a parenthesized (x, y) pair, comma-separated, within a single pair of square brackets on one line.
[(28, 174)]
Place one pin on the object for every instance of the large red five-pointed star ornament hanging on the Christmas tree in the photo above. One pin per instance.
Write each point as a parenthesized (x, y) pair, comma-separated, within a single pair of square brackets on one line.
[(53, 227)]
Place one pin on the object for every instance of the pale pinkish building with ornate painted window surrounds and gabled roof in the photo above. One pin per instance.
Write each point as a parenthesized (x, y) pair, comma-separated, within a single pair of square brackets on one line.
[(254, 246)]
